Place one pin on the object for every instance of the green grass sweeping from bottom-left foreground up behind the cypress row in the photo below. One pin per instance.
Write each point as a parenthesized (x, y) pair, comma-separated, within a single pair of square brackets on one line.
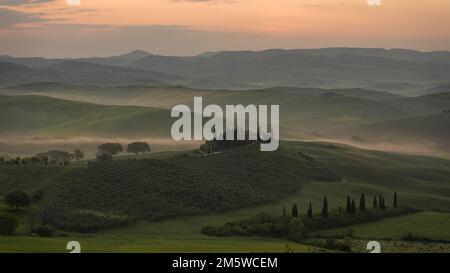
[(421, 181)]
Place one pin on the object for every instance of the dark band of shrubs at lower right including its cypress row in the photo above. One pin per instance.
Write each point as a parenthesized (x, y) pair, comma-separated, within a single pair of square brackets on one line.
[(296, 227)]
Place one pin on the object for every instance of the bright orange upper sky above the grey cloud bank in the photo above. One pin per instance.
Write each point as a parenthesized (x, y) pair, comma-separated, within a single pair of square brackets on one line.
[(289, 17)]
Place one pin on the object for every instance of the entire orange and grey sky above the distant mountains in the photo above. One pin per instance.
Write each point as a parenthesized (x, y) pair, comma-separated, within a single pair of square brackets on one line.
[(84, 28)]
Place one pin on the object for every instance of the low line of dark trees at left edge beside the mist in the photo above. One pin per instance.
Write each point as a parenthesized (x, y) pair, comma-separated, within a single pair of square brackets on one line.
[(54, 157)]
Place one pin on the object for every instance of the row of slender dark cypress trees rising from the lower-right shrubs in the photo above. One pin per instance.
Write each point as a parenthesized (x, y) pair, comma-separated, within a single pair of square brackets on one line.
[(378, 203)]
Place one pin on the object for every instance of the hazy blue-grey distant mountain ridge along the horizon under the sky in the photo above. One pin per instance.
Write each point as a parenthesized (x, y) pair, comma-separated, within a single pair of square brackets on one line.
[(398, 71)]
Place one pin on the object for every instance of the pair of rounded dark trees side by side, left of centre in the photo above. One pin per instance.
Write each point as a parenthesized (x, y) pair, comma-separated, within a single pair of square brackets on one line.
[(107, 151)]
